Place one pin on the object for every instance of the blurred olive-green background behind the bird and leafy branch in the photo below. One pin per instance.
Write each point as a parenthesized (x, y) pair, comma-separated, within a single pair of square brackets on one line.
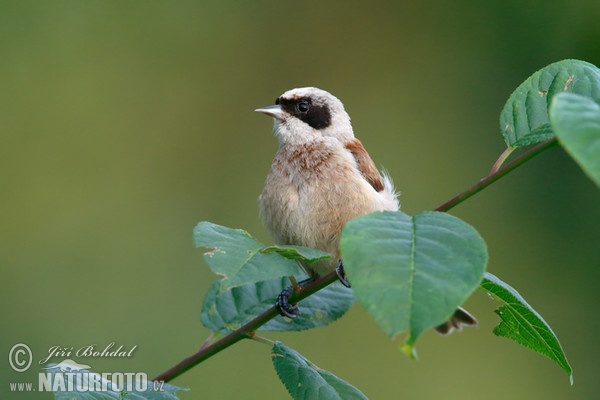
[(123, 124)]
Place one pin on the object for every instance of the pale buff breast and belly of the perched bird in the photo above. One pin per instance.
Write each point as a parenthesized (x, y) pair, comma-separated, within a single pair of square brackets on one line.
[(311, 192)]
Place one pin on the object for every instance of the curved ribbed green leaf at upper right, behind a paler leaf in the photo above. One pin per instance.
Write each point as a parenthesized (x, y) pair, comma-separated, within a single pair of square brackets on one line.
[(524, 119)]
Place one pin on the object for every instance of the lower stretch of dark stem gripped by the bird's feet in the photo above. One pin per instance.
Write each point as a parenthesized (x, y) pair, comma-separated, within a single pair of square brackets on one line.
[(244, 332)]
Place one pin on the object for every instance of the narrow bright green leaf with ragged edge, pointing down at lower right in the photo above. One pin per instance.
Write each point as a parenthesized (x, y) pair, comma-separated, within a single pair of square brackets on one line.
[(521, 323)]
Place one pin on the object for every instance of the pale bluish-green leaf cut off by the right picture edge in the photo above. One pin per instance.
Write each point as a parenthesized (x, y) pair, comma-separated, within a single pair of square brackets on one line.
[(576, 120)]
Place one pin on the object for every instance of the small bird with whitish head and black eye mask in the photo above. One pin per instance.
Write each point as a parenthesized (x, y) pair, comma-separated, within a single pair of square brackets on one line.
[(321, 178)]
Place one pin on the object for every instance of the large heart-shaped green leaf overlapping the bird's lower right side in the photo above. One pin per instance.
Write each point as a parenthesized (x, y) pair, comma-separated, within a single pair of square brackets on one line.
[(411, 273)]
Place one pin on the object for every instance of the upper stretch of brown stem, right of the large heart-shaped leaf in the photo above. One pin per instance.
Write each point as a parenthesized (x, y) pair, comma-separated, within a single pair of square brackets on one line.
[(494, 175)]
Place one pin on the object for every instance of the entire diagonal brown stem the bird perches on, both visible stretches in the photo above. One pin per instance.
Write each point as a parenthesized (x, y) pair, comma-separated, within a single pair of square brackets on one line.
[(247, 331)]
